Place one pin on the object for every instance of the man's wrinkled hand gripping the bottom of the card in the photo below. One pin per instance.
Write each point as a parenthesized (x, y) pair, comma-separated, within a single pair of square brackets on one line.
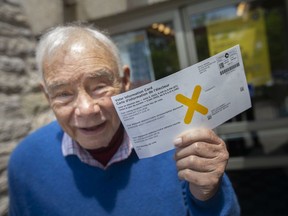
[(201, 158)]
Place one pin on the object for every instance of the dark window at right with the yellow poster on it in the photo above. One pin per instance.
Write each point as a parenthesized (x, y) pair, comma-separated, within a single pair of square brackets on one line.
[(260, 29)]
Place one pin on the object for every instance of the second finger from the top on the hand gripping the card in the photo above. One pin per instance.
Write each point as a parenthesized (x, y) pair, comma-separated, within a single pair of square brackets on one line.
[(201, 149)]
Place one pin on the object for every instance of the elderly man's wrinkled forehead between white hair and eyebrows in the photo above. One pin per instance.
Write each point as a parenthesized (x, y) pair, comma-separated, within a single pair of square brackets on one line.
[(79, 59)]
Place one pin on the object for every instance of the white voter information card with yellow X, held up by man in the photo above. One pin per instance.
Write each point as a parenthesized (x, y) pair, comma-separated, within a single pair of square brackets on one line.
[(203, 95)]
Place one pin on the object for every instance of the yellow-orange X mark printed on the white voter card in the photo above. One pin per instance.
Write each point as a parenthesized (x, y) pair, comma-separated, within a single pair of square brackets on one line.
[(192, 104)]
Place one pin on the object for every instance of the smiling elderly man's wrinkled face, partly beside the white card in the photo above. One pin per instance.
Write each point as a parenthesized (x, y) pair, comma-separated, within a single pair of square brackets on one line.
[(80, 82)]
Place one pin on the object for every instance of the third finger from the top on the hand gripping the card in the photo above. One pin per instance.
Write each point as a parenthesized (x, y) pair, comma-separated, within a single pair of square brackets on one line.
[(196, 163)]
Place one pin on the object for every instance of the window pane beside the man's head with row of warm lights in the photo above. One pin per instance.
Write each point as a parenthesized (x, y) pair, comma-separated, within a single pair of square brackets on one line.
[(150, 52)]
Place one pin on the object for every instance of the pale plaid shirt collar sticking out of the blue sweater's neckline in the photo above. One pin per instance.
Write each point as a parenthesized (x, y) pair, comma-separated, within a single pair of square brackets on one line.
[(70, 147)]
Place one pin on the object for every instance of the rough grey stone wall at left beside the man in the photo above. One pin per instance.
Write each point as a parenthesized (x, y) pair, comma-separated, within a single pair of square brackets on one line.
[(23, 108)]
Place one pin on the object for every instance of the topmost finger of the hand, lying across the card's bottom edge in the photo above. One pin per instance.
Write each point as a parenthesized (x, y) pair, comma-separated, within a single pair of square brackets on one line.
[(196, 135)]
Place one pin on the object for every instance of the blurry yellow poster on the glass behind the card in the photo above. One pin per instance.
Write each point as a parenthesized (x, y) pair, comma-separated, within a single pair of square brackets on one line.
[(250, 33)]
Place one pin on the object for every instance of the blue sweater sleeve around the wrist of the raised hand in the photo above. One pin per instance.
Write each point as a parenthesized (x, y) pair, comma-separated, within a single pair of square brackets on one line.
[(224, 202)]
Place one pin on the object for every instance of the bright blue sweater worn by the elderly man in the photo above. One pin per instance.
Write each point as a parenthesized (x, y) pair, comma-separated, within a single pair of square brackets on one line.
[(44, 182)]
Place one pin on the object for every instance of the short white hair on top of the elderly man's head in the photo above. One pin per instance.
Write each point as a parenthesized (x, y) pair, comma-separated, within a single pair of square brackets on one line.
[(57, 37)]
